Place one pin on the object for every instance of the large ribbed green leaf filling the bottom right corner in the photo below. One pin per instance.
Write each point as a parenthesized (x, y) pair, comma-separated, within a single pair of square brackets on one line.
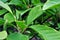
[(45, 32)]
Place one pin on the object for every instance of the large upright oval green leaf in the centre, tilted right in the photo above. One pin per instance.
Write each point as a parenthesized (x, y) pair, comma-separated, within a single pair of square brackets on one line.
[(34, 13)]
